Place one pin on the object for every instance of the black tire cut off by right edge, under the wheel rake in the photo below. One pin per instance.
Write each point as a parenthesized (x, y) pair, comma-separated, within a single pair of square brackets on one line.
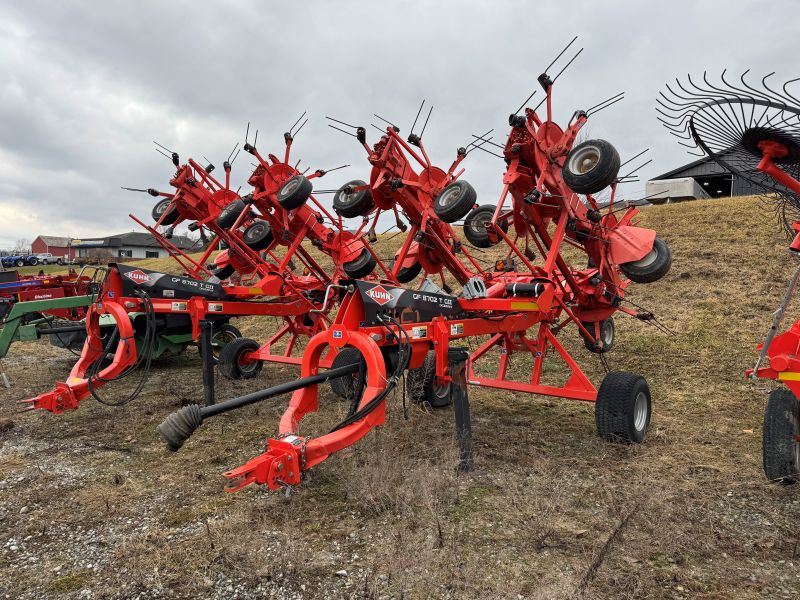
[(781, 450)]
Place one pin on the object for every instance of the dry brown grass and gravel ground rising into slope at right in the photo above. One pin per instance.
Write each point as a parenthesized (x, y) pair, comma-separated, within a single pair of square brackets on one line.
[(93, 506)]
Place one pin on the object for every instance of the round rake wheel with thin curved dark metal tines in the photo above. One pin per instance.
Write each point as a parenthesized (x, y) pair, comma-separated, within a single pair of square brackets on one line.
[(734, 123)]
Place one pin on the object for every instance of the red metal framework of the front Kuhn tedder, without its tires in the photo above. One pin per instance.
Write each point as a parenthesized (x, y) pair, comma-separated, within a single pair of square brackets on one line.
[(519, 296)]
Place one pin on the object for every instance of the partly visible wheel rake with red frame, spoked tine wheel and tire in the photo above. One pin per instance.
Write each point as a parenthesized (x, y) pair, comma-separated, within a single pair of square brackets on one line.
[(752, 130)]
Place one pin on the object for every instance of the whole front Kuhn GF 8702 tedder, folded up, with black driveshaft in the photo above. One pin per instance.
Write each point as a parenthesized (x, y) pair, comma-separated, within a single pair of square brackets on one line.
[(521, 304)]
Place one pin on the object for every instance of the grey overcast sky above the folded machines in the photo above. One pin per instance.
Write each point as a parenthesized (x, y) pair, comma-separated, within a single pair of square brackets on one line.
[(86, 86)]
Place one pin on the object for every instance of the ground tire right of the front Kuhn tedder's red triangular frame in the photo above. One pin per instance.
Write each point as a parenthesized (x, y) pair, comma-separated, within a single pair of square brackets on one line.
[(622, 410)]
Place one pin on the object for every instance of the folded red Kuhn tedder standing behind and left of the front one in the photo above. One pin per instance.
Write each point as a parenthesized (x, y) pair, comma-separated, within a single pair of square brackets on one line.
[(276, 214)]
